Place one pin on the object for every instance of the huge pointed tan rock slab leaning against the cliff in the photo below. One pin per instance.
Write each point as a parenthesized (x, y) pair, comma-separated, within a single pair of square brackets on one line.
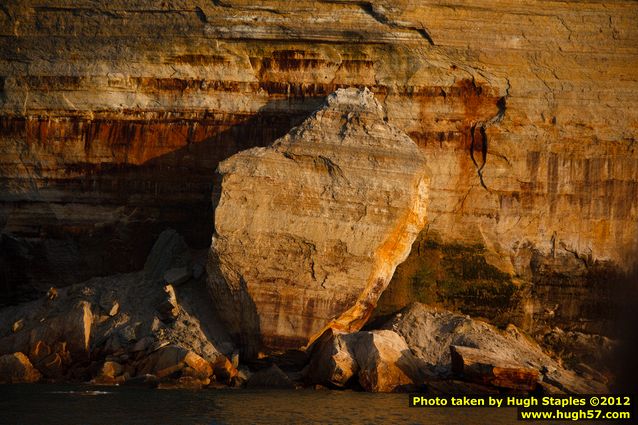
[(308, 231)]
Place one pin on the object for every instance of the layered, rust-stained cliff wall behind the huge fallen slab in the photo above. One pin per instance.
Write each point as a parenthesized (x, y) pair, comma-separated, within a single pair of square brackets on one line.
[(114, 116)]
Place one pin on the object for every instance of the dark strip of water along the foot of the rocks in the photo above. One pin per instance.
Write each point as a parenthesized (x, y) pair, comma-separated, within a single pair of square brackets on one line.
[(60, 404)]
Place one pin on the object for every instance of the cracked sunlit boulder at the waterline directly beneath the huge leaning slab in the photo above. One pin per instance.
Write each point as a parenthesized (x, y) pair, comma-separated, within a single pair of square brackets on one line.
[(380, 360)]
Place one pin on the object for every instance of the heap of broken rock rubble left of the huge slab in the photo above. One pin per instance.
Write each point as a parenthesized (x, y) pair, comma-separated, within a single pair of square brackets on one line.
[(110, 330)]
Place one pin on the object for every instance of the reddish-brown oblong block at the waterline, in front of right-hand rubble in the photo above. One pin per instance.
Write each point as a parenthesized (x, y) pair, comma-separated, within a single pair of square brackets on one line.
[(488, 369)]
